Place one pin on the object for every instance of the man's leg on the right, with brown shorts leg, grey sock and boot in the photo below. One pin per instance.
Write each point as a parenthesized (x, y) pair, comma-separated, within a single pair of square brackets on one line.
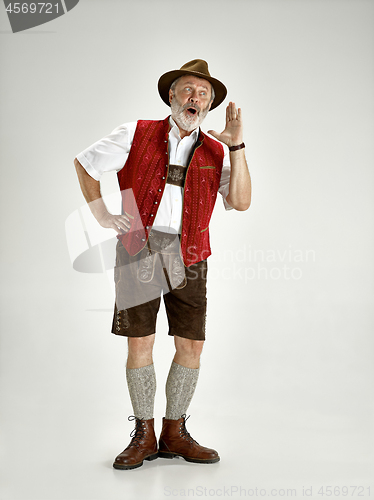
[(186, 310)]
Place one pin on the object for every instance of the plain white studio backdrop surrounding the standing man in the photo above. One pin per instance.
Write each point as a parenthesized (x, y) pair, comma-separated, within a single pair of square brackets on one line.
[(286, 386)]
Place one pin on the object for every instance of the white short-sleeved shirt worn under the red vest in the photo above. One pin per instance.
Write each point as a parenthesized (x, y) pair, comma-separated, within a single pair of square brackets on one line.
[(110, 154)]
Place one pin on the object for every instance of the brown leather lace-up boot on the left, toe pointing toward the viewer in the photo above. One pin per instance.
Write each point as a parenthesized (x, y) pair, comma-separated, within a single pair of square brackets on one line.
[(143, 446)]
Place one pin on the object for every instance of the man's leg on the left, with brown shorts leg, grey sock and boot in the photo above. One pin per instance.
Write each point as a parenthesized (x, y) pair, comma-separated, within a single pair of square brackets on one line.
[(138, 323)]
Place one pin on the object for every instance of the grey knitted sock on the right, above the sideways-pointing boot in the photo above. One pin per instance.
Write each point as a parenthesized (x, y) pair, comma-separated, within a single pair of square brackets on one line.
[(180, 387)]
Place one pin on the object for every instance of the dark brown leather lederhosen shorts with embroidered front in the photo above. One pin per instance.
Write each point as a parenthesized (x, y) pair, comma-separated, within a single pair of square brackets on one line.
[(158, 270)]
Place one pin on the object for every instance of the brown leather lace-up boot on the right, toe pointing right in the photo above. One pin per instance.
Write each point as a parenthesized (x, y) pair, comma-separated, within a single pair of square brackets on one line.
[(175, 441)]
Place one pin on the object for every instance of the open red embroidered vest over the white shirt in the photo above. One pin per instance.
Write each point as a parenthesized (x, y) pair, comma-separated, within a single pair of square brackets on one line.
[(142, 183)]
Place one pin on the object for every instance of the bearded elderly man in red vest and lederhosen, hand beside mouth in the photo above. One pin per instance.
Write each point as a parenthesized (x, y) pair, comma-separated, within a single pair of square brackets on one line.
[(169, 173)]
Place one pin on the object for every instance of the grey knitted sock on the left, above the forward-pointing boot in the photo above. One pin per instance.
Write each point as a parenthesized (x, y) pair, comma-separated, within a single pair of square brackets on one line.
[(142, 388)]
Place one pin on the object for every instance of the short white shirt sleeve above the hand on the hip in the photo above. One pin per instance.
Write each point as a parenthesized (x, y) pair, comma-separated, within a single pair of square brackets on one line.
[(109, 153)]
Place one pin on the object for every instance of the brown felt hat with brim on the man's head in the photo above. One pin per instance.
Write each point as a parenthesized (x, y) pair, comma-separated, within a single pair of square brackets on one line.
[(198, 68)]
